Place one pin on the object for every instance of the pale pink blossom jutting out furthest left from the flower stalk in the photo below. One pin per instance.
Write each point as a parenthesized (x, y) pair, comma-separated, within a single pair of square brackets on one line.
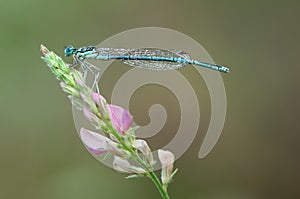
[(98, 143)]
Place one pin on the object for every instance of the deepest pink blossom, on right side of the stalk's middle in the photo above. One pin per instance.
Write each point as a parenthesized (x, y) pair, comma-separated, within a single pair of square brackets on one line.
[(121, 119)]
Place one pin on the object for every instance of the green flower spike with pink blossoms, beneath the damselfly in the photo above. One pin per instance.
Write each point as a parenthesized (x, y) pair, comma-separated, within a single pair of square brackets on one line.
[(117, 137)]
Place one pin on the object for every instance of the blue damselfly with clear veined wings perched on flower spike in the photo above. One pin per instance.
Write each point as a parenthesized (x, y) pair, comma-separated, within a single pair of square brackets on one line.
[(145, 58)]
